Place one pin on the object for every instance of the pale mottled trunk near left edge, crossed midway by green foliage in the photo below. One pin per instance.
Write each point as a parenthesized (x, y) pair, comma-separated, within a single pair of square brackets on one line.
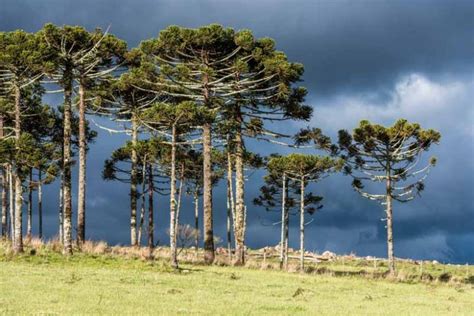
[(18, 239)]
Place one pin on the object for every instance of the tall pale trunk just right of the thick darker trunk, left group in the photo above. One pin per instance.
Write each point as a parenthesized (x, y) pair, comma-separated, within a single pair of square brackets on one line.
[(81, 194)]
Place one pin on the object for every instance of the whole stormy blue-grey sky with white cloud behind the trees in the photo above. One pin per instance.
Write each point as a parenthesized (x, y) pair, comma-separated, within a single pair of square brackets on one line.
[(376, 60)]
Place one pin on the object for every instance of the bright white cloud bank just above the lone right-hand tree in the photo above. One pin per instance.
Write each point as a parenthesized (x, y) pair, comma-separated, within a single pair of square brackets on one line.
[(446, 106)]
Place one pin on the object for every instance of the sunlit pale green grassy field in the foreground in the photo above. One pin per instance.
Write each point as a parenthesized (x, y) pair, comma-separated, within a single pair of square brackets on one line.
[(47, 283)]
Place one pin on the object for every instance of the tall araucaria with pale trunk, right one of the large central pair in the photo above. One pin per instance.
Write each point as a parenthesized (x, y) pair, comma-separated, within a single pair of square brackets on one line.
[(260, 85)]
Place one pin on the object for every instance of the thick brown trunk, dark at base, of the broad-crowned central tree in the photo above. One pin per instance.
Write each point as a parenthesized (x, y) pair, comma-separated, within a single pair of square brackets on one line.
[(207, 195)]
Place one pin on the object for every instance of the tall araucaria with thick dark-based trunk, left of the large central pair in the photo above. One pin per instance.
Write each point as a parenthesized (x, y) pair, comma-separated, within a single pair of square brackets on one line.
[(189, 64)]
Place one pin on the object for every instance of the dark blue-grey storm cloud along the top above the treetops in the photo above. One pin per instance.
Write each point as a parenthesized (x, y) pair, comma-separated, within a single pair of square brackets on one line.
[(343, 44)]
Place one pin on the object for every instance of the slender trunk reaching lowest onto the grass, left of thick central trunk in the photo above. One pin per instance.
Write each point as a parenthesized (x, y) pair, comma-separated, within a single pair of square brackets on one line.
[(173, 248)]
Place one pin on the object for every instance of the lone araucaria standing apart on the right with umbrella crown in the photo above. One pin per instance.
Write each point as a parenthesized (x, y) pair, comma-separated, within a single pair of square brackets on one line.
[(389, 155)]
